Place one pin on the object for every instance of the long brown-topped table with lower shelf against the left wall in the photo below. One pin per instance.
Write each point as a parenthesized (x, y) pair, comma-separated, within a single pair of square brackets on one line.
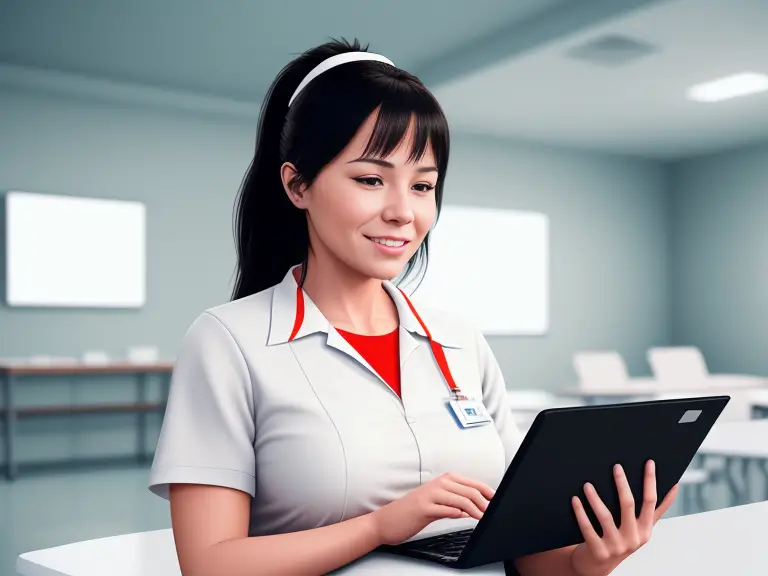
[(13, 375)]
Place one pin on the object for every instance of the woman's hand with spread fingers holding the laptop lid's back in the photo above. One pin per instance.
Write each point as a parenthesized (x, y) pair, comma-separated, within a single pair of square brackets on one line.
[(600, 556)]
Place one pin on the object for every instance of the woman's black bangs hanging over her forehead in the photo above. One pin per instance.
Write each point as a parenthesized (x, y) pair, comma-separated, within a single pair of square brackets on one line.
[(405, 106)]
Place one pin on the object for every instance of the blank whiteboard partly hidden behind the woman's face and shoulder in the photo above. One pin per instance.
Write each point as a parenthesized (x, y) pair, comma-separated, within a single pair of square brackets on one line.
[(490, 266)]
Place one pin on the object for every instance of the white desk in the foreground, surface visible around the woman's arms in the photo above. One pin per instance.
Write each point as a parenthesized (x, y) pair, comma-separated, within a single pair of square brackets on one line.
[(727, 541)]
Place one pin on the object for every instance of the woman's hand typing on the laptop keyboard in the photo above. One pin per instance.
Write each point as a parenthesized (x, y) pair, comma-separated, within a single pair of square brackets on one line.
[(447, 496)]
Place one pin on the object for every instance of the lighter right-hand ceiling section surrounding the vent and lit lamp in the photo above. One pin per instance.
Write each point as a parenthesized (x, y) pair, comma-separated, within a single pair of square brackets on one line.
[(639, 108)]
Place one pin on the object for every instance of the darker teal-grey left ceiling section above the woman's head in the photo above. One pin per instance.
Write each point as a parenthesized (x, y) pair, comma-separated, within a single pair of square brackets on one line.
[(185, 48)]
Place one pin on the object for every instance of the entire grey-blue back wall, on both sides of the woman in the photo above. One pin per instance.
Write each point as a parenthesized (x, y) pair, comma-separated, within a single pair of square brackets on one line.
[(608, 246)]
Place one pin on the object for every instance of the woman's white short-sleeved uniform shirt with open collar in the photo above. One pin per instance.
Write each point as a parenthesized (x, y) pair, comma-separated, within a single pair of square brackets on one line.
[(268, 398)]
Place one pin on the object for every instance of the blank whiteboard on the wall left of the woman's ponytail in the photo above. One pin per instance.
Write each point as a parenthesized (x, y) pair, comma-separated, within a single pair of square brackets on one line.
[(64, 251)]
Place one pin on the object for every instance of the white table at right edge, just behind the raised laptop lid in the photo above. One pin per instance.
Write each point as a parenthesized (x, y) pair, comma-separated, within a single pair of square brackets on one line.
[(744, 444)]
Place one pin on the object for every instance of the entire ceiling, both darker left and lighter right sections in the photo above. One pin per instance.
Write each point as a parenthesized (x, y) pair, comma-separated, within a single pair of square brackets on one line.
[(500, 68)]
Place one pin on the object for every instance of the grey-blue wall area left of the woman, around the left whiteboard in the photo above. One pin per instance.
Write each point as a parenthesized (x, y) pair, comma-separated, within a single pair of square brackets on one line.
[(187, 171)]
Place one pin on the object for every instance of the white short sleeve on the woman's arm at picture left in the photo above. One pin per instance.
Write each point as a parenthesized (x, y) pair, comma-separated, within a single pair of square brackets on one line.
[(207, 434)]
